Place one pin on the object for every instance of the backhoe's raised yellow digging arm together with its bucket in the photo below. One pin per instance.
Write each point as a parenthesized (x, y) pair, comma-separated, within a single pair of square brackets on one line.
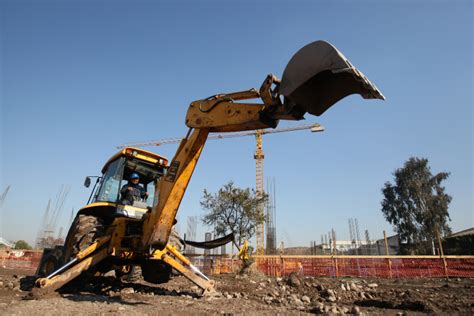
[(317, 77)]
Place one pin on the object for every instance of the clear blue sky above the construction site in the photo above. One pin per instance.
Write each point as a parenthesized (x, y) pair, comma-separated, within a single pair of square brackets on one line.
[(81, 77)]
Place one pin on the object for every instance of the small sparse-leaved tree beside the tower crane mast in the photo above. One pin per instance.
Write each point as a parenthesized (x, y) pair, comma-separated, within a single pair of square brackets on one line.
[(235, 210)]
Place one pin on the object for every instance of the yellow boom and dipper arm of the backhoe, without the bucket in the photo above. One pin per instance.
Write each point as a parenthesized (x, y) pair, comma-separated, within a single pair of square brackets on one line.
[(217, 114)]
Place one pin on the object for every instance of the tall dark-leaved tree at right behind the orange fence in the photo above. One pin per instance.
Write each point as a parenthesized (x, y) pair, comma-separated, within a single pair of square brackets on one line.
[(417, 205)]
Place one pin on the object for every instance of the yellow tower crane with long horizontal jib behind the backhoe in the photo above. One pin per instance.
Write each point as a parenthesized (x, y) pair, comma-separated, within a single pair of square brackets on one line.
[(258, 156)]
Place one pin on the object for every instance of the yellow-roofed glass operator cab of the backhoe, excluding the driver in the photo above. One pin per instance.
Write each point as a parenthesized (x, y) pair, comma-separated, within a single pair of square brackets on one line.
[(117, 172)]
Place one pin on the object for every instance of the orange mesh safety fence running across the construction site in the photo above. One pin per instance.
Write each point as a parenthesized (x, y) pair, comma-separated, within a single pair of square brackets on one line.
[(322, 266)]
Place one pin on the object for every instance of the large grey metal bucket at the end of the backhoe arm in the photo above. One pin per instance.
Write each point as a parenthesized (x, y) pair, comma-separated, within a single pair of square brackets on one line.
[(318, 76)]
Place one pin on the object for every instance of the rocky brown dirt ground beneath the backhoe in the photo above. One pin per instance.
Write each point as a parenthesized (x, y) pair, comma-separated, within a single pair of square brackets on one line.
[(236, 294)]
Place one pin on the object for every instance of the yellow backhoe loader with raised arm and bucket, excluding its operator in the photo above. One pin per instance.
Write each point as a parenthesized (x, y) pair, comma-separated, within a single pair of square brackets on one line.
[(109, 234)]
